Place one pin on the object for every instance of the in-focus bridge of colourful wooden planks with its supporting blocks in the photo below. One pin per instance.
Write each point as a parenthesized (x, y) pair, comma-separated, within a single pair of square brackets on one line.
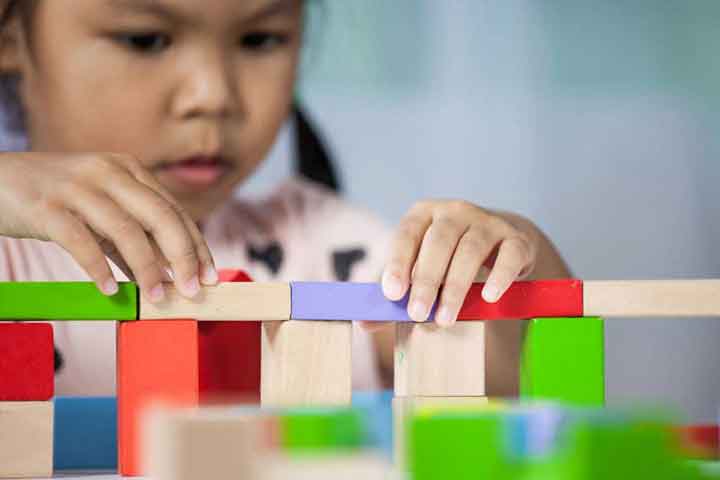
[(290, 345)]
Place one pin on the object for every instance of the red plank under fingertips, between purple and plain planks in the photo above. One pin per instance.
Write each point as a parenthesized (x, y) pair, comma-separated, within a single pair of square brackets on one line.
[(529, 299)]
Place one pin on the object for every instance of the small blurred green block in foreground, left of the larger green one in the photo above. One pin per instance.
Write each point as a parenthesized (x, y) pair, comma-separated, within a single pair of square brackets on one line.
[(317, 429)]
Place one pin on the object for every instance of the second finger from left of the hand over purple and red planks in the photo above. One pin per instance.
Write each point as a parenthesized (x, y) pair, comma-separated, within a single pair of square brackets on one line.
[(432, 262)]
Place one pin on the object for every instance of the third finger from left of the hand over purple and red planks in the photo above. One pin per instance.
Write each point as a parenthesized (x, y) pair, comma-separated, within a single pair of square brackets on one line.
[(472, 250)]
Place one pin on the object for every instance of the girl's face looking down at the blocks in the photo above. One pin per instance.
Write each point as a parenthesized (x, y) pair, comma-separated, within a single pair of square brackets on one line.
[(196, 90)]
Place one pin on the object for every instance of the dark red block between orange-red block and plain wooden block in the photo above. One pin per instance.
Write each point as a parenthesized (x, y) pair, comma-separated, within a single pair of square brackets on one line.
[(229, 352)]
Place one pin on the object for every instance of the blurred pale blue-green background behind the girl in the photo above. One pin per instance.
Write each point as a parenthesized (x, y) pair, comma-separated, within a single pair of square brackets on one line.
[(597, 120)]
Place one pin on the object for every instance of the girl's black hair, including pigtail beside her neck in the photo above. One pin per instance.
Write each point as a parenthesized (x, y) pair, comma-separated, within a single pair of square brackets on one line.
[(313, 159)]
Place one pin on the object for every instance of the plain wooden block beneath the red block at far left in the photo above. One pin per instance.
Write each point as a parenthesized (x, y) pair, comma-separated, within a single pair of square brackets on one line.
[(26, 439)]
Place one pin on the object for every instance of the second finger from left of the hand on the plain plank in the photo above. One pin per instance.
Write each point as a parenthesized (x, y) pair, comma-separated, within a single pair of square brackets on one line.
[(110, 221)]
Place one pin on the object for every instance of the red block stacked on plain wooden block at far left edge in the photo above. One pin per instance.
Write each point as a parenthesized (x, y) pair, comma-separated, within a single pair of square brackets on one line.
[(26, 390)]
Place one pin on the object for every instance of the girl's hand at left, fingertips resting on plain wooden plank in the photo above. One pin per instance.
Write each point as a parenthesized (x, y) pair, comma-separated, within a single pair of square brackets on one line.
[(95, 205)]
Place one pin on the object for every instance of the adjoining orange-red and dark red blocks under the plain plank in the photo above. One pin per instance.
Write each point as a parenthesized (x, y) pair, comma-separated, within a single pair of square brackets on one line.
[(180, 363)]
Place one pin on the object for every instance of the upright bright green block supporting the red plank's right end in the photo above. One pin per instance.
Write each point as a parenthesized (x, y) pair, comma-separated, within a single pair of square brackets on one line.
[(564, 360)]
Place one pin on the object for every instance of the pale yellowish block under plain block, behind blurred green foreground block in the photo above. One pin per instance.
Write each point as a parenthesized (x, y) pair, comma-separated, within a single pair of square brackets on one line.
[(404, 407)]
